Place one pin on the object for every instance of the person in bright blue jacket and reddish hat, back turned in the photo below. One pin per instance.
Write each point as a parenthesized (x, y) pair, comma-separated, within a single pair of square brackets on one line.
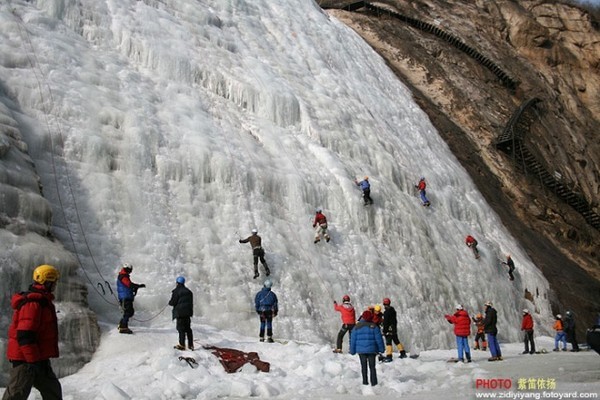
[(366, 340)]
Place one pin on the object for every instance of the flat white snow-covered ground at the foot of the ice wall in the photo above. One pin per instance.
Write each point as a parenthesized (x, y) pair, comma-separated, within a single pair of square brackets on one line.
[(145, 366)]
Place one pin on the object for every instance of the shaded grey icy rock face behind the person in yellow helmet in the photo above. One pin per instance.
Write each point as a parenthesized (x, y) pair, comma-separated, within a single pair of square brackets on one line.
[(25, 242)]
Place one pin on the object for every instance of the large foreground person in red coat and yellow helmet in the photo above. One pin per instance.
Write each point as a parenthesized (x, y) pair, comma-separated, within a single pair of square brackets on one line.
[(33, 339)]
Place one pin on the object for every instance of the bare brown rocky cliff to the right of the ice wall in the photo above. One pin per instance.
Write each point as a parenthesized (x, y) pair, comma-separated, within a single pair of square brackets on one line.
[(471, 65)]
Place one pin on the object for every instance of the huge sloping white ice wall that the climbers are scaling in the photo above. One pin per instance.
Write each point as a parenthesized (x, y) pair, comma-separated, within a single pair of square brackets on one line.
[(181, 125)]
